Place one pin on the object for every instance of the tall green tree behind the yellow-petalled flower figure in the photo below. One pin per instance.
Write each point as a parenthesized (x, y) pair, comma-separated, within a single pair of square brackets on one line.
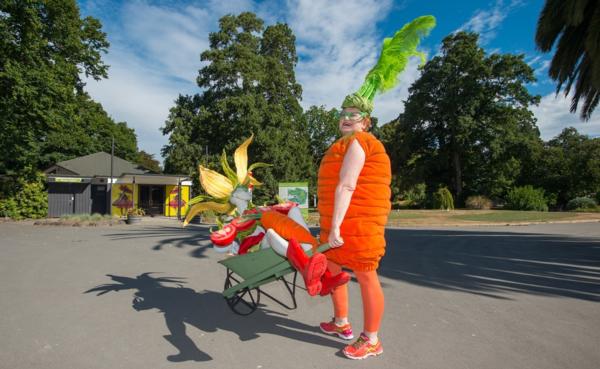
[(248, 86)]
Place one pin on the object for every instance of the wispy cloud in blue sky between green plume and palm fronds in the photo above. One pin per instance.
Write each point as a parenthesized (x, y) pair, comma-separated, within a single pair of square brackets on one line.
[(486, 22)]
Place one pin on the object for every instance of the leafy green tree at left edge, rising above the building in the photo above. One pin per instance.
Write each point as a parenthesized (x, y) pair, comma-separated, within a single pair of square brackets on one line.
[(45, 48)]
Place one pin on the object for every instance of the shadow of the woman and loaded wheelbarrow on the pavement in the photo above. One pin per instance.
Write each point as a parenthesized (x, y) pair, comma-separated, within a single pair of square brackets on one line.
[(206, 311)]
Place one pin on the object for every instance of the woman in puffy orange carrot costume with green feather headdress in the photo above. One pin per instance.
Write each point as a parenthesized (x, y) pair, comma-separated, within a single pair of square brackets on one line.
[(354, 194)]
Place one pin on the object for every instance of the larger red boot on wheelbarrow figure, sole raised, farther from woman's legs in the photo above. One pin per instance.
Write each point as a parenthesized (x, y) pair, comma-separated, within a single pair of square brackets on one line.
[(312, 268)]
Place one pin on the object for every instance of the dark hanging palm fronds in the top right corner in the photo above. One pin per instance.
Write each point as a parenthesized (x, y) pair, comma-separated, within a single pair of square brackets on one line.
[(575, 24)]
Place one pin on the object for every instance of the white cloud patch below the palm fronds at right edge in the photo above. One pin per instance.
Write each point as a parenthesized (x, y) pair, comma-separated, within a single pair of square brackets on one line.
[(553, 116)]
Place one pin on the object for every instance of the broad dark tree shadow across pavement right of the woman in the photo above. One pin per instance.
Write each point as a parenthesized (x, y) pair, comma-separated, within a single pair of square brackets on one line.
[(494, 263)]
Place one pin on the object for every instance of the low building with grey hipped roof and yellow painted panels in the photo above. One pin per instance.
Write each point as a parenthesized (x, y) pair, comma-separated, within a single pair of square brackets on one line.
[(83, 186)]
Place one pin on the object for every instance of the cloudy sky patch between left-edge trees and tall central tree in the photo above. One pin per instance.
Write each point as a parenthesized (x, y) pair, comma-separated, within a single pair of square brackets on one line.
[(154, 57)]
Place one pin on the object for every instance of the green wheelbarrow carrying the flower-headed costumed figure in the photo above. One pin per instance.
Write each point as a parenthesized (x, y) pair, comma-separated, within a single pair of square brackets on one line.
[(246, 273)]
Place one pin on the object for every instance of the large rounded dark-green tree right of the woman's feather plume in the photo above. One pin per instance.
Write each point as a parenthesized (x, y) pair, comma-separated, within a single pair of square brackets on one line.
[(466, 122)]
